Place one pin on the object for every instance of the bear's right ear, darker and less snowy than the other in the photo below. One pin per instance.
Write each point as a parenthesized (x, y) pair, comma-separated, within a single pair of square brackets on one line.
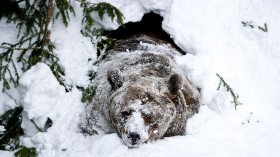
[(175, 83)]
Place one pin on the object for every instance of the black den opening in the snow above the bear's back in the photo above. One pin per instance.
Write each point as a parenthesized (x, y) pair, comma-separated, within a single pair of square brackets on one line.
[(150, 25)]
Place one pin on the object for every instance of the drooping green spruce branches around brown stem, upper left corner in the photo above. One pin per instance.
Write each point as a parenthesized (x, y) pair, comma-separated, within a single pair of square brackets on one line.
[(34, 43)]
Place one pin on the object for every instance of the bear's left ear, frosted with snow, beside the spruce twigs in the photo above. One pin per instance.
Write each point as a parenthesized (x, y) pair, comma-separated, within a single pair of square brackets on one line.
[(115, 78)]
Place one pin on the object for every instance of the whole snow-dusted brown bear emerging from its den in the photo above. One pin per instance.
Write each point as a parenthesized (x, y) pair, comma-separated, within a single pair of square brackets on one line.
[(143, 95)]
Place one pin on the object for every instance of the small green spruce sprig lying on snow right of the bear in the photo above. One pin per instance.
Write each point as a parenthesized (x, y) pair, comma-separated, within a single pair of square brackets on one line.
[(230, 90)]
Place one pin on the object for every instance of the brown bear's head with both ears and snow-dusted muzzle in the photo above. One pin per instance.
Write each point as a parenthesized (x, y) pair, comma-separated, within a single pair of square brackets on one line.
[(139, 112)]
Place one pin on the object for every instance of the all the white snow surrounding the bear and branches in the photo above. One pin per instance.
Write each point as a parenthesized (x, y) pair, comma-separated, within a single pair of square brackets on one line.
[(248, 59)]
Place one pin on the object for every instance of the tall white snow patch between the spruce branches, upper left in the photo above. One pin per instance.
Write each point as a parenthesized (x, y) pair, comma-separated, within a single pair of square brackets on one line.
[(73, 50)]
